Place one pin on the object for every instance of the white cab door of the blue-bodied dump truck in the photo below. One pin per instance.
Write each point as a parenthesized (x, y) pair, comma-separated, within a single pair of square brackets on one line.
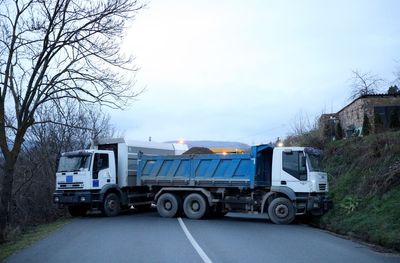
[(294, 171)]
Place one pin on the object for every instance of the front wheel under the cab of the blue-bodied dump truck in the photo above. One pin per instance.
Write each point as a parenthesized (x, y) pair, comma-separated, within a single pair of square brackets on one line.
[(281, 211)]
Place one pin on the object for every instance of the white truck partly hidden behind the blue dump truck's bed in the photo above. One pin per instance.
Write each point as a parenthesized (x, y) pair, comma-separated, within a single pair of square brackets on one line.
[(104, 177)]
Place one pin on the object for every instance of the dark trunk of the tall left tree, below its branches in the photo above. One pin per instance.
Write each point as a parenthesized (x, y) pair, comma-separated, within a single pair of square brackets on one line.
[(6, 195)]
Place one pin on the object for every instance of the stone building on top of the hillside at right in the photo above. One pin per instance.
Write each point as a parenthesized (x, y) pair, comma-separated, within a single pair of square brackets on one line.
[(375, 106)]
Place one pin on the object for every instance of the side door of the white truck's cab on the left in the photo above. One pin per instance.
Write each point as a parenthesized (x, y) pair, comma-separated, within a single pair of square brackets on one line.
[(101, 171)]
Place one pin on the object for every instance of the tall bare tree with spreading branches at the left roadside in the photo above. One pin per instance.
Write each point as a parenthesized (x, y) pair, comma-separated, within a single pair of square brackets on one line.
[(56, 50)]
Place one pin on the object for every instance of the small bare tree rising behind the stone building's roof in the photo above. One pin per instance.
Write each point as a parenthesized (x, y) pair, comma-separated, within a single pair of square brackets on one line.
[(364, 84)]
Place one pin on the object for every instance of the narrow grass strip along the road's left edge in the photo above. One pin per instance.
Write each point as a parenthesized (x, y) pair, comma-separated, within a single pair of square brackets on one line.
[(29, 237)]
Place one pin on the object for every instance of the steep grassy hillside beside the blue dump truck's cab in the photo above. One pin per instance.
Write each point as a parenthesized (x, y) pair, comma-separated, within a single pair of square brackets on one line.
[(365, 188)]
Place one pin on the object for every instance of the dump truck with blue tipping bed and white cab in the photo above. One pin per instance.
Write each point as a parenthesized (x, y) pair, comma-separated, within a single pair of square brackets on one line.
[(281, 182)]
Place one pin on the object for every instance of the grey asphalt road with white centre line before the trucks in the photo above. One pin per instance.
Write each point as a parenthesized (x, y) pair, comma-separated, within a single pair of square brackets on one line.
[(145, 237)]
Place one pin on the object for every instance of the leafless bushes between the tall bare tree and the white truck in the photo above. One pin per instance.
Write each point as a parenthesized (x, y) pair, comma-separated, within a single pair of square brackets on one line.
[(34, 181)]
